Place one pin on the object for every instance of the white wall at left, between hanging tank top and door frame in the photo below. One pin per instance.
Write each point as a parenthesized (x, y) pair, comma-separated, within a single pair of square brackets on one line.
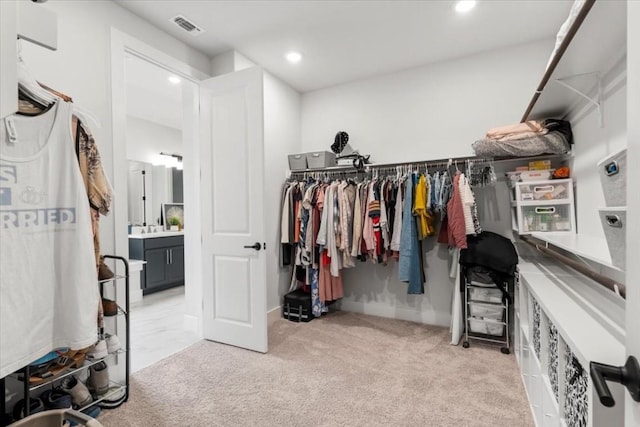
[(81, 68)]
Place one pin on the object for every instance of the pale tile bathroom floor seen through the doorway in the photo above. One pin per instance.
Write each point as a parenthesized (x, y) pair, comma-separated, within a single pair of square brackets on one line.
[(157, 328)]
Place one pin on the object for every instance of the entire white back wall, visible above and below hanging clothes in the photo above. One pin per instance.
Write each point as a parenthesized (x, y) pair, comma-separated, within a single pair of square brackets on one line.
[(430, 112)]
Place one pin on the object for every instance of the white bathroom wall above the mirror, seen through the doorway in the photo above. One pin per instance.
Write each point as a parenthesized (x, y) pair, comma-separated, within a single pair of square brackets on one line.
[(145, 140)]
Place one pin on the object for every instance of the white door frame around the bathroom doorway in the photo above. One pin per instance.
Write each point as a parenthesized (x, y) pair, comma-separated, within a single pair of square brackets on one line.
[(121, 45)]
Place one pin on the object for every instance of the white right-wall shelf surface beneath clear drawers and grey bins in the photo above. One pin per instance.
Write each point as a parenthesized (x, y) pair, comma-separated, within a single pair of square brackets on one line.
[(592, 248)]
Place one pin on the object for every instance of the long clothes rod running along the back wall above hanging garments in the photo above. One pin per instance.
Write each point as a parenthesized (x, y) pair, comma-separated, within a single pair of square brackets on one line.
[(453, 160)]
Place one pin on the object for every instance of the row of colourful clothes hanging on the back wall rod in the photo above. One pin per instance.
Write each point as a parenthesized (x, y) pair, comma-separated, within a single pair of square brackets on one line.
[(379, 220)]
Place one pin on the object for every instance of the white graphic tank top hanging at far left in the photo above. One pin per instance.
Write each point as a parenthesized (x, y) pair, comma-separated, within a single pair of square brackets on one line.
[(48, 280)]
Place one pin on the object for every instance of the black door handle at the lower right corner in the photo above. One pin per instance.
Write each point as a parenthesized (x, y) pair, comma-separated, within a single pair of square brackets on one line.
[(627, 375)]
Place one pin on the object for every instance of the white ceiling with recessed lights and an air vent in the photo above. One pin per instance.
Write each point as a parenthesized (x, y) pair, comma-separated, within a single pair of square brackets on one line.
[(344, 41)]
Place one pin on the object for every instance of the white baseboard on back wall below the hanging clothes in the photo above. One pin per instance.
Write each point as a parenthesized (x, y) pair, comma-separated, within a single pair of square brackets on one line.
[(391, 312)]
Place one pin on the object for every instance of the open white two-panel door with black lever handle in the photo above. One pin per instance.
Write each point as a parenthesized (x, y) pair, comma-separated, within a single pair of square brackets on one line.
[(234, 273)]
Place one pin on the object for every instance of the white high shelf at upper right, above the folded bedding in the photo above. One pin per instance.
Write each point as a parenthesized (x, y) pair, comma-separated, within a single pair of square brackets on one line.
[(599, 40)]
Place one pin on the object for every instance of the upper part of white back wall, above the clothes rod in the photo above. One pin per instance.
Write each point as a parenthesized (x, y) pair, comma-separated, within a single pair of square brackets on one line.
[(430, 112)]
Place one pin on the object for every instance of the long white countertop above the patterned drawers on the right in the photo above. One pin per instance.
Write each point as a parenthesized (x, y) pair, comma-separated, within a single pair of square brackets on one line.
[(586, 335)]
